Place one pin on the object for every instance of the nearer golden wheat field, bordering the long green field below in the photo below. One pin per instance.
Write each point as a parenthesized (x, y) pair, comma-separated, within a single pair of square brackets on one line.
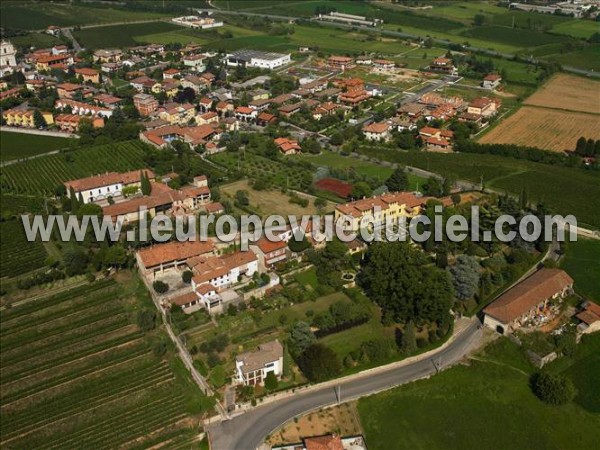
[(544, 128)]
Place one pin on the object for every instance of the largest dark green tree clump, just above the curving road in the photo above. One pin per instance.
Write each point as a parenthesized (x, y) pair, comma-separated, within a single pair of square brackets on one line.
[(401, 280)]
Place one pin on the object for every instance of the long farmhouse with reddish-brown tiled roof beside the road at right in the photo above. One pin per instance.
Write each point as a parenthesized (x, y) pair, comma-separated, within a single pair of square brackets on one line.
[(529, 298)]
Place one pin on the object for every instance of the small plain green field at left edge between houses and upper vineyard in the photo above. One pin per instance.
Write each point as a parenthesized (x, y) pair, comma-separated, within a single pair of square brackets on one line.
[(21, 145)]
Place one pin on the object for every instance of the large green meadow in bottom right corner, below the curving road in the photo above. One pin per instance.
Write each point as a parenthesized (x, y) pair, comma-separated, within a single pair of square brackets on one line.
[(487, 404)]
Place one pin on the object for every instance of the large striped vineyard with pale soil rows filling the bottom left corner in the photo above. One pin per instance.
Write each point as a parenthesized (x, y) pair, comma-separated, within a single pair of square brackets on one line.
[(77, 373)]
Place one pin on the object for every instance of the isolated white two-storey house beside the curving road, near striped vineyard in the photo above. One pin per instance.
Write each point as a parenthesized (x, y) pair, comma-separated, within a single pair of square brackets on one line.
[(251, 368)]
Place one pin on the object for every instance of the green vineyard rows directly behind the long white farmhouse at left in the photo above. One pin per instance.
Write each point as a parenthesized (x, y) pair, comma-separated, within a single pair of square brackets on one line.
[(42, 175)]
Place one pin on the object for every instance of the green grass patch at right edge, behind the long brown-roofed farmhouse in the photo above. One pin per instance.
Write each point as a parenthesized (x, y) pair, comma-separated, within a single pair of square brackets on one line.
[(582, 262)]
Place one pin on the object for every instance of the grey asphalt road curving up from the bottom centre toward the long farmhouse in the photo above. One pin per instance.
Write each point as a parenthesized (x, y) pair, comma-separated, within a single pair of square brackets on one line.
[(247, 431)]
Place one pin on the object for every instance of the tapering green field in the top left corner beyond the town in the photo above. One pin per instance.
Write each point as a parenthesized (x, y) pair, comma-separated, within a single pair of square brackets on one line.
[(30, 16)]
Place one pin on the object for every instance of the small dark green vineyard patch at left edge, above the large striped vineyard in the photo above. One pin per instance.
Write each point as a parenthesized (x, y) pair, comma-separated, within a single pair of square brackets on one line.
[(18, 256)]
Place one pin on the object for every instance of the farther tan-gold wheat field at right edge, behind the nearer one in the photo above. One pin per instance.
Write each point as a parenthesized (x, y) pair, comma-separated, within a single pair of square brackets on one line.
[(568, 92)]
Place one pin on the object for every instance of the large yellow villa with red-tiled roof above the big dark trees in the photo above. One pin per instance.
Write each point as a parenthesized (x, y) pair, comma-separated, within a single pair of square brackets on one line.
[(376, 210)]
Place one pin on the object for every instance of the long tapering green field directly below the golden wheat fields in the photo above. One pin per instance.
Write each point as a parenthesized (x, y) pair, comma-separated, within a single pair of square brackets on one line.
[(558, 187)]
